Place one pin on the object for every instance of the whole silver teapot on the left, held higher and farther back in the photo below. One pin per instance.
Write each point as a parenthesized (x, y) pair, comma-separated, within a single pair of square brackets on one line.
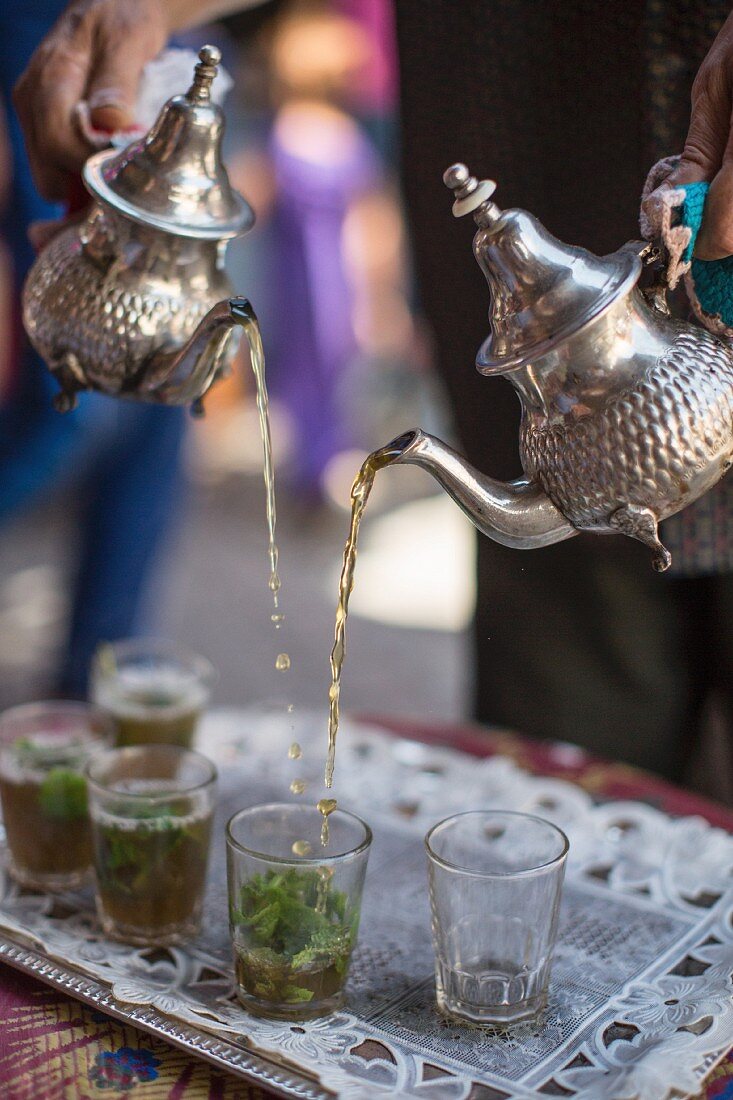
[(135, 301)]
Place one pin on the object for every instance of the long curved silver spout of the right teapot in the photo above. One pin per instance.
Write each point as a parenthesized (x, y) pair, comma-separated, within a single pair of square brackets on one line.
[(517, 514)]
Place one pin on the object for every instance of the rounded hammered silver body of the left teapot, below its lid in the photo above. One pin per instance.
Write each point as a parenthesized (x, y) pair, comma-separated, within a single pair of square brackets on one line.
[(114, 294)]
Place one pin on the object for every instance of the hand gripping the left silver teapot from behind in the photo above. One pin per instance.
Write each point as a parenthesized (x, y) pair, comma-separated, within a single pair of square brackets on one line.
[(96, 51)]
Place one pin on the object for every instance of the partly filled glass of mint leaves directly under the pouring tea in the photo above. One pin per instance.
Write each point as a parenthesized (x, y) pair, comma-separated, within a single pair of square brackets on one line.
[(294, 907)]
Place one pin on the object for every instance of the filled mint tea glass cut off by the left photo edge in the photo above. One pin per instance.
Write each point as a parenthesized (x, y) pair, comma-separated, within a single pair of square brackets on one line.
[(45, 749)]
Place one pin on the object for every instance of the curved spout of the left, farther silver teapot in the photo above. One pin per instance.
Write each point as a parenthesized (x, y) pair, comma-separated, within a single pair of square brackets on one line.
[(184, 377)]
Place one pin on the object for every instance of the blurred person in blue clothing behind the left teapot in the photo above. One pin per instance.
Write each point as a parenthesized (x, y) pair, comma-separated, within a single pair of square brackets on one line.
[(122, 463)]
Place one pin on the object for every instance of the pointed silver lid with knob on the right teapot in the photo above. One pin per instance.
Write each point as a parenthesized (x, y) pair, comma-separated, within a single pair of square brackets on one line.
[(542, 291)]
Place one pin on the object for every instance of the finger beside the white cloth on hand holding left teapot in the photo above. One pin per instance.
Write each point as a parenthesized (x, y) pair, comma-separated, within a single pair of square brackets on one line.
[(114, 82)]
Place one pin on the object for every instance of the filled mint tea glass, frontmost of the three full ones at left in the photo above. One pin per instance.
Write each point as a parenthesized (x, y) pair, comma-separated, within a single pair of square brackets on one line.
[(151, 812)]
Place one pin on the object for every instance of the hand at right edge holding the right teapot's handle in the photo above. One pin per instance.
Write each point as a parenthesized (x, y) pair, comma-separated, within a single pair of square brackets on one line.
[(708, 152)]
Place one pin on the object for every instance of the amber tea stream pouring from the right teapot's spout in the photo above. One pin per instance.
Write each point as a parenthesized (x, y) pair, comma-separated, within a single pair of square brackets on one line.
[(360, 491)]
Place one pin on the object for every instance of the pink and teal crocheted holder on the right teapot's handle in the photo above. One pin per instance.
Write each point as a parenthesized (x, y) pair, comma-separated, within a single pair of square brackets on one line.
[(674, 214)]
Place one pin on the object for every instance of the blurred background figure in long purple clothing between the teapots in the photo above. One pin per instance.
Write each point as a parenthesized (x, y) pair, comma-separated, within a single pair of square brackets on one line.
[(323, 164)]
